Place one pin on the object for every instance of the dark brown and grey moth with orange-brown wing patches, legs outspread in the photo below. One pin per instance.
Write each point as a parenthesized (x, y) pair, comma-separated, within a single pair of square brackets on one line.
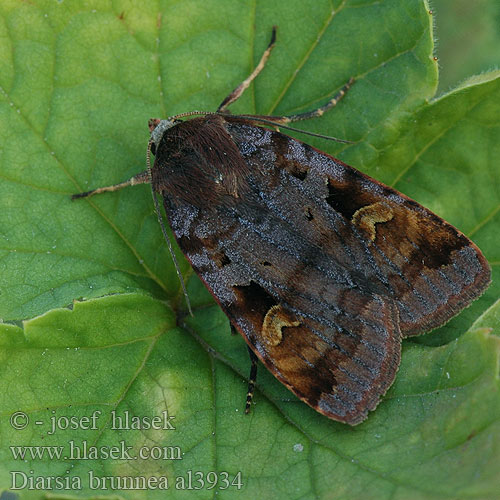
[(320, 268)]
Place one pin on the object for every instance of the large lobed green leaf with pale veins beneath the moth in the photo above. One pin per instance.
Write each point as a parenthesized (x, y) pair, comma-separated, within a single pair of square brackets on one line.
[(78, 82)]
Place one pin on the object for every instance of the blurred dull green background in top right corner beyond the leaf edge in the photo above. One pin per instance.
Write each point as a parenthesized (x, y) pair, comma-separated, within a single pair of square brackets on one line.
[(467, 34)]
